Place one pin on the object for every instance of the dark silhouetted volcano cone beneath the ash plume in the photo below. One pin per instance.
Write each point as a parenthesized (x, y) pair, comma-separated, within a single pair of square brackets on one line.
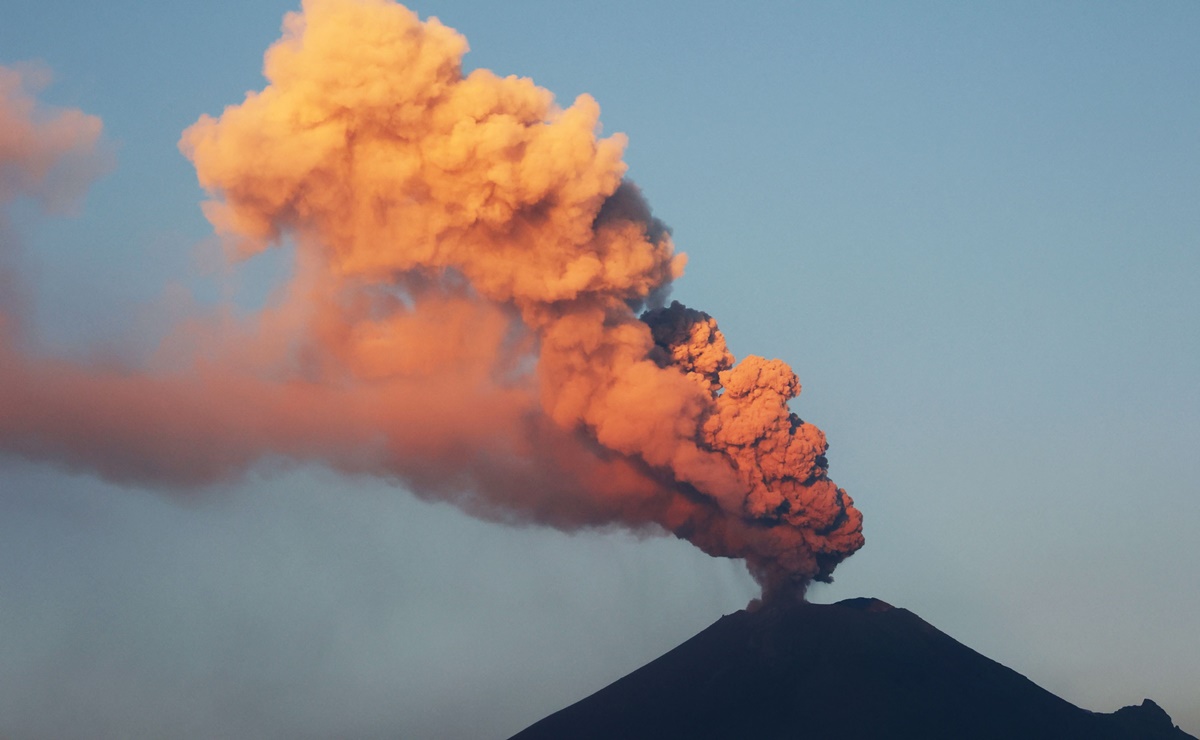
[(859, 669)]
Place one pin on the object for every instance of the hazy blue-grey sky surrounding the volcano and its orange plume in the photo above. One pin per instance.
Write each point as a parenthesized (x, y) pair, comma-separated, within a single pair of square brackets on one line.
[(970, 230)]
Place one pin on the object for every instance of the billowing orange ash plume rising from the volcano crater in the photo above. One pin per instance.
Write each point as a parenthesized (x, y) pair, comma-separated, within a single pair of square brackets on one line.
[(467, 316)]
